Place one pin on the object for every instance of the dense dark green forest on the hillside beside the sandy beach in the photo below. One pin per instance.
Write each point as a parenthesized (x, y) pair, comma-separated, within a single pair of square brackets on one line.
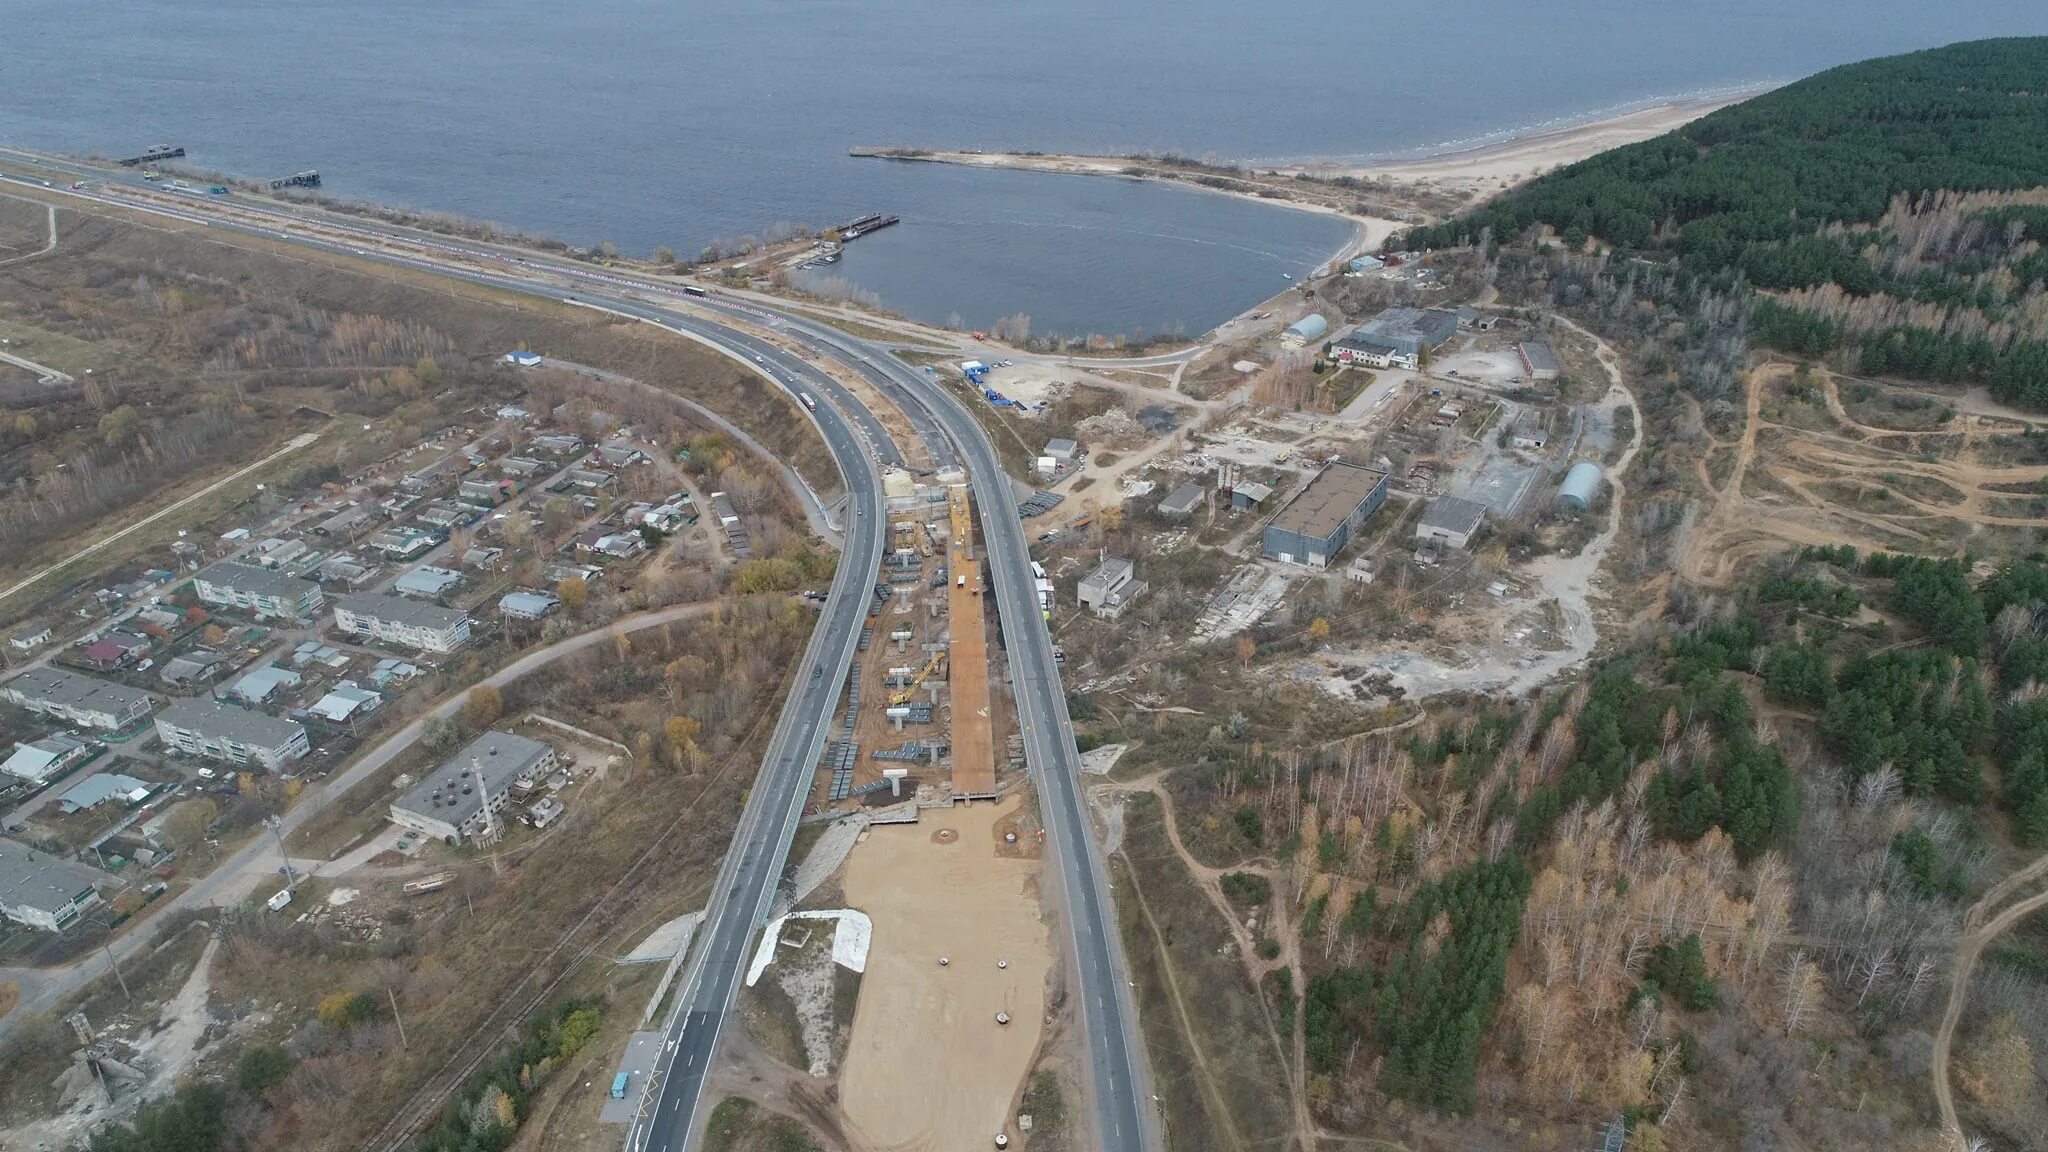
[(1885, 204)]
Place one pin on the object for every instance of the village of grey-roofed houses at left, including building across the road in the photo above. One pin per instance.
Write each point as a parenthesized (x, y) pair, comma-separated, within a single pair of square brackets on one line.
[(253, 661)]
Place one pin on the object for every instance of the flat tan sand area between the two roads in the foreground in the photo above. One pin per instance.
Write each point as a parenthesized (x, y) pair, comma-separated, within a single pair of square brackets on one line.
[(929, 1069)]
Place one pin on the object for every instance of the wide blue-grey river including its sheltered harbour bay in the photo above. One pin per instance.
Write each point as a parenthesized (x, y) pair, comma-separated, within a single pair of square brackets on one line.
[(663, 122)]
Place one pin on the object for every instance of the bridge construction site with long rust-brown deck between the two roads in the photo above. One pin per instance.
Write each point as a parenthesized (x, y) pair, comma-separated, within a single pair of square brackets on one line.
[(919, 721)]
